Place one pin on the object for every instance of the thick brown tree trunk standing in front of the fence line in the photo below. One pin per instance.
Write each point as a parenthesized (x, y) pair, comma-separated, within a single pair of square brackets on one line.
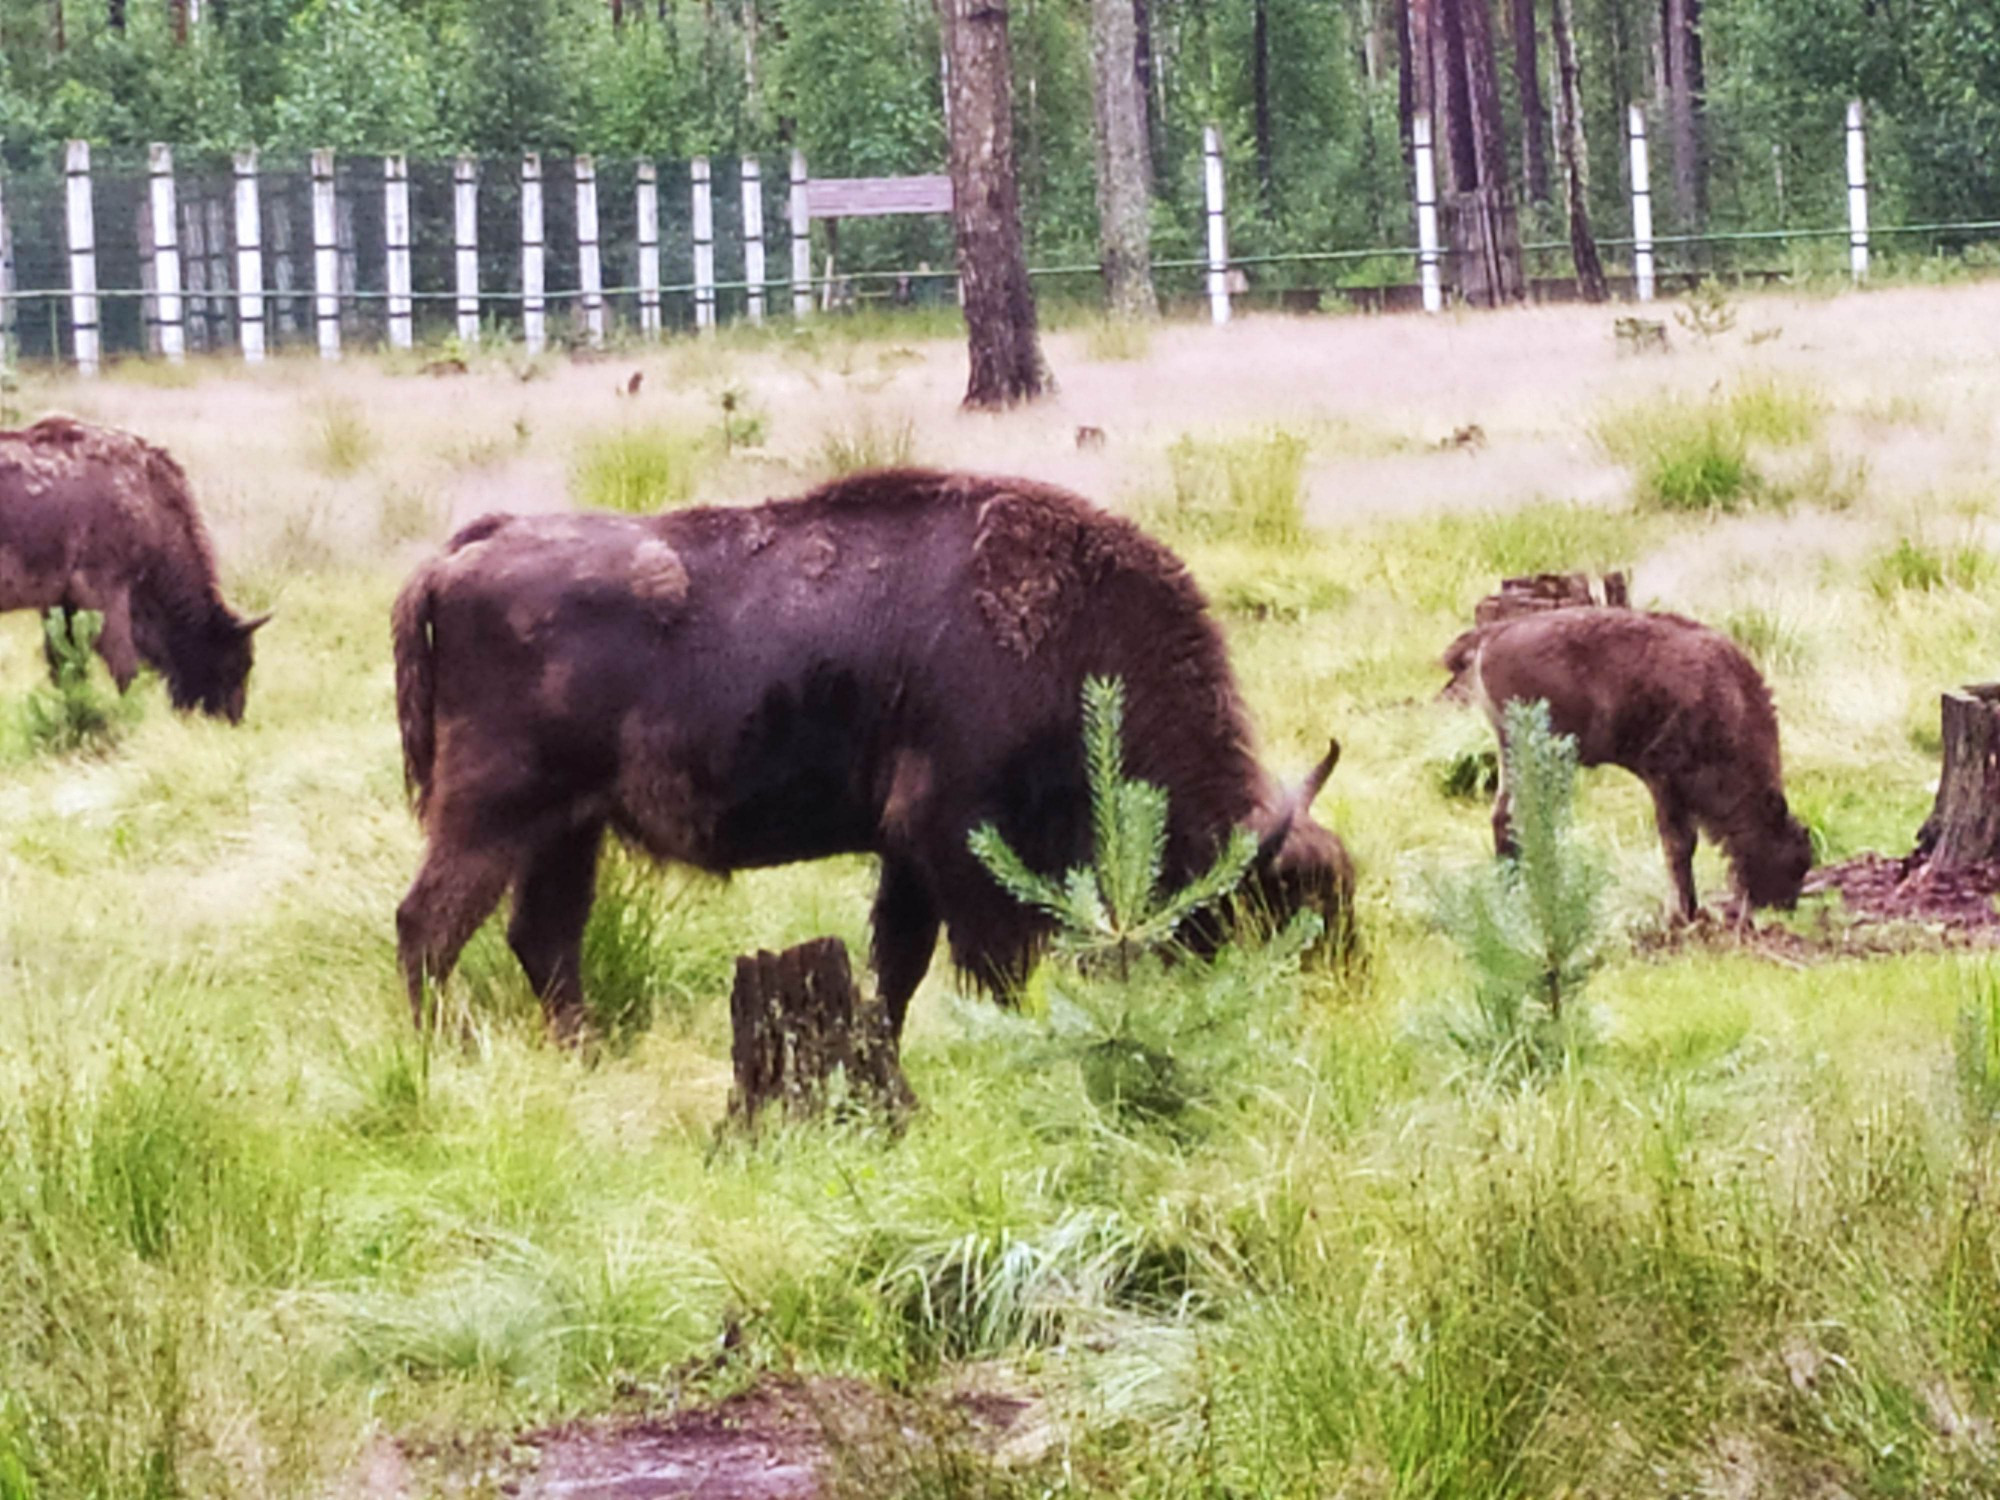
[(999, 303)]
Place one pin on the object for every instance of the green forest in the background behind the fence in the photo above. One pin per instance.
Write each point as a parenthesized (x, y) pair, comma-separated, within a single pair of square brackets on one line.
[(1313, 99)]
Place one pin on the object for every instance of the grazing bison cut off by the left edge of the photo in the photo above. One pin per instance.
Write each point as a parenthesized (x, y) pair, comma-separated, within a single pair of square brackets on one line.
[(95, 519)]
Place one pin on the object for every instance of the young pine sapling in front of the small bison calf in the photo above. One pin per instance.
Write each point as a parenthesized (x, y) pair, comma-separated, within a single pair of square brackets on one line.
[(1531, 927)]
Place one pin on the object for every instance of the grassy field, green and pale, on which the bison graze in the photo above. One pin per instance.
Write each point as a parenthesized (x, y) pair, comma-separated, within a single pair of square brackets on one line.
[(259, 1241)]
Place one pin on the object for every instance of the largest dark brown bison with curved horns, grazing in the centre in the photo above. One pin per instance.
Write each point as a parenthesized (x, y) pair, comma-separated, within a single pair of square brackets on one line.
[(877, 667)]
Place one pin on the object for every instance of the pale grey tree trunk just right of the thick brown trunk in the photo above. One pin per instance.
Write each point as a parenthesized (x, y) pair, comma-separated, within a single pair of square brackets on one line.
[(1125, 225)]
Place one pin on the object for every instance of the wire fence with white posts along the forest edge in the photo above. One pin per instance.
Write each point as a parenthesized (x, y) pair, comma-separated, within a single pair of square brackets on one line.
[(333, 257)]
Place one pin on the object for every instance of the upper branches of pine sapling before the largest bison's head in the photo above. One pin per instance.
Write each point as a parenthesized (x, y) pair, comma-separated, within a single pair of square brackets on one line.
[(1115, 907)]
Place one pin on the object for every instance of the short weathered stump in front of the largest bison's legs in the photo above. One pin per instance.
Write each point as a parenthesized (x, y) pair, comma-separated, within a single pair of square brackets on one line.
[(799, 1025)]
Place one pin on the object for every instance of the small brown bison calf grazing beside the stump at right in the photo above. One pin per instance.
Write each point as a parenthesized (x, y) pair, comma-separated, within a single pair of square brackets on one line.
[(1671, 701)]
